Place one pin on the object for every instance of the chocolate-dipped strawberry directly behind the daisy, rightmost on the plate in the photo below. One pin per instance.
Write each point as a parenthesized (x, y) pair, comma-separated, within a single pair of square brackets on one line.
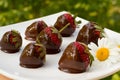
[(89, 33)]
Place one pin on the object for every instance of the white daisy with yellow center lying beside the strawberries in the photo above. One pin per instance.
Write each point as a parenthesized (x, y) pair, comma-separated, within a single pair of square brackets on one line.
[(105, 54)]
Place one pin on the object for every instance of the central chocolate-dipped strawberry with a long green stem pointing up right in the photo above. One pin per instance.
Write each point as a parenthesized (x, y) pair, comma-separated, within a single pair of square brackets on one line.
[(51, 39)]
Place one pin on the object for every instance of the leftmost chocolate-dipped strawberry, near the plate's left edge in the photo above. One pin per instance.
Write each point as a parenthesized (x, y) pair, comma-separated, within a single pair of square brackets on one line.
[(11, 41)]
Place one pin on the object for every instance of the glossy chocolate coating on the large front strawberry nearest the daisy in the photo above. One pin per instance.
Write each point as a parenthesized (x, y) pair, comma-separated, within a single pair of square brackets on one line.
[(70, 61)]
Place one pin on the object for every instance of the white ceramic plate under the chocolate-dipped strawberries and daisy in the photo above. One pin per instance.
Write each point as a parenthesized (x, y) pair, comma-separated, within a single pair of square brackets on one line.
[(9, 63)]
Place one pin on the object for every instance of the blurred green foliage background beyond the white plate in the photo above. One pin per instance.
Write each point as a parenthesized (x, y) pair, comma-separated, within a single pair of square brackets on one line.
[(104, 12)]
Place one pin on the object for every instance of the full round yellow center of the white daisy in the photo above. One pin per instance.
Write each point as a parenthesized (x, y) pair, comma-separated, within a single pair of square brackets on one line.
[(102, 54)]
